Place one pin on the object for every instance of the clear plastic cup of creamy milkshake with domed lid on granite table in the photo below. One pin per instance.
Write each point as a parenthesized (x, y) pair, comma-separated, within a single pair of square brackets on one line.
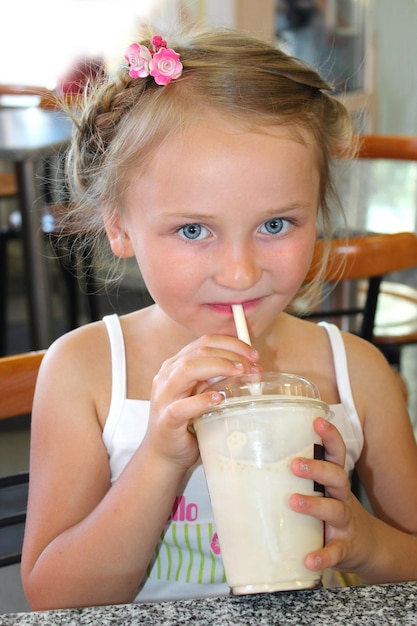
[(247, 445)]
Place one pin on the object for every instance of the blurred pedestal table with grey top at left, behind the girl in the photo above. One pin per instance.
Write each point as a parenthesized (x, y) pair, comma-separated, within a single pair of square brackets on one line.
[(28, 135)]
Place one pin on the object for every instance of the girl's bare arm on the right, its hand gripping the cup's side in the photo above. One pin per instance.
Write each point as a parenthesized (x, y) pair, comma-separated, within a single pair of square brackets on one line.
[(381, 547)]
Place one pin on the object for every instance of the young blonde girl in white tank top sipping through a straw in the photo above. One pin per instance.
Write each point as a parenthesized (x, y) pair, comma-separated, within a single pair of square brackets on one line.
[(208, 162)]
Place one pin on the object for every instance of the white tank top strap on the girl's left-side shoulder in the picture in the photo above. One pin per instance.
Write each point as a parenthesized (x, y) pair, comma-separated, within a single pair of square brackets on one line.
[(118, 370)]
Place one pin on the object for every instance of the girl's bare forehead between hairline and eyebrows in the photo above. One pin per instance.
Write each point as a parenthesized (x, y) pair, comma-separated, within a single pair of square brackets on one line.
[(223, 163)]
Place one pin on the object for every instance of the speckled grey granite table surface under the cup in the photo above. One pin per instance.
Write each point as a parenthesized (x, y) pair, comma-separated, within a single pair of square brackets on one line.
[(377, 605)]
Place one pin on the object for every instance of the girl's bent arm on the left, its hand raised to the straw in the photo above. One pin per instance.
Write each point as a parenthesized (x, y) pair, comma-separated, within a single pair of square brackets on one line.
[(89, 543)]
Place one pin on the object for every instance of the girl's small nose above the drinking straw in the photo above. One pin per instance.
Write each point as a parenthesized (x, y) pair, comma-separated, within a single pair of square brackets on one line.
[(237, 268)]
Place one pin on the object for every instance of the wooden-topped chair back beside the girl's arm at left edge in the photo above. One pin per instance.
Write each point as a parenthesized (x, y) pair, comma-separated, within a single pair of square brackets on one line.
[(17, 384)]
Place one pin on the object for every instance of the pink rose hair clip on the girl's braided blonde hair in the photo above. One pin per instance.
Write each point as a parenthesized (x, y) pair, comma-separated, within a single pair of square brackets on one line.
[(160, 62)]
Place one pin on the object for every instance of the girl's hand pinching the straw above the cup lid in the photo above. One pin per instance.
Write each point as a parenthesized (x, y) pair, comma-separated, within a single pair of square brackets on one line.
[(178, 392)]
